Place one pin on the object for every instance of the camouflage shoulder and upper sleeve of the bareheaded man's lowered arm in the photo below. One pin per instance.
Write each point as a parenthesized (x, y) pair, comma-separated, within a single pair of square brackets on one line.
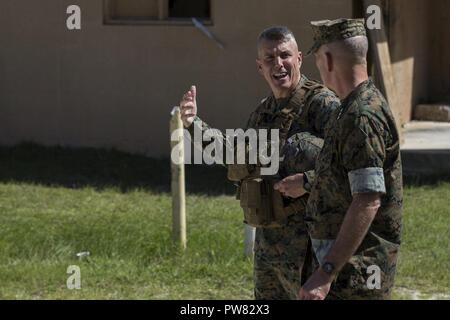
[(321, 106)]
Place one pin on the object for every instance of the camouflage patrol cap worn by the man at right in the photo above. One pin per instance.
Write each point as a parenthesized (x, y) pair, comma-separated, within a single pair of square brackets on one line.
[(326, 31)]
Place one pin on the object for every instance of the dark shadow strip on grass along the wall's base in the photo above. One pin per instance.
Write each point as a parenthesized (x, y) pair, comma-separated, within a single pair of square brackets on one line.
[(100, 169)]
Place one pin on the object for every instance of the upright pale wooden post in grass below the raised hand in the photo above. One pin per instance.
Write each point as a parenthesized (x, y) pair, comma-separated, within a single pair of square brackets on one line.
[(177, 183)]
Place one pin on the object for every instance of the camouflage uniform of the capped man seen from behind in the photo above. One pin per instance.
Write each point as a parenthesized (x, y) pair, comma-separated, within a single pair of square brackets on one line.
[(361, 140)]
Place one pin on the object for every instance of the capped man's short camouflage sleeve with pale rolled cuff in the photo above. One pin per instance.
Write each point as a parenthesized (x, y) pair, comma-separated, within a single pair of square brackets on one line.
[(363, 155)]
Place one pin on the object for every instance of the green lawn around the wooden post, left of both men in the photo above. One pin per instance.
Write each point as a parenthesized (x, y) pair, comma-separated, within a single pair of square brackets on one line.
[(128, 236)]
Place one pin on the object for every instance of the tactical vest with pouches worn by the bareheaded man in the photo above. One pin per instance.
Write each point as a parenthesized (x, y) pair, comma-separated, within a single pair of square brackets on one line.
[(263, 206)]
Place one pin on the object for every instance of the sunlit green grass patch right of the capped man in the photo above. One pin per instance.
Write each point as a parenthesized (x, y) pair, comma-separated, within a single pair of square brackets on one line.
[(425, 253)]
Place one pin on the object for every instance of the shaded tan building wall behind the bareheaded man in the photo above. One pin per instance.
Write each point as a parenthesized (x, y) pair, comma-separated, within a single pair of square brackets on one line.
[(114, 86)]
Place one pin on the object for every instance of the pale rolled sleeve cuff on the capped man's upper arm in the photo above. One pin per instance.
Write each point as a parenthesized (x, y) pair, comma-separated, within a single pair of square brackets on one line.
[(367, 180)]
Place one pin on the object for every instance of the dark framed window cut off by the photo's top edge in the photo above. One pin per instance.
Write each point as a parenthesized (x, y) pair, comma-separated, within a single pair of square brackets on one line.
[(156, 10)]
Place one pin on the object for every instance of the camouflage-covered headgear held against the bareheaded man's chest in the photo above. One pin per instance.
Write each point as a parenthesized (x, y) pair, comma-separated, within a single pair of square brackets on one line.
[(300, 153)]
